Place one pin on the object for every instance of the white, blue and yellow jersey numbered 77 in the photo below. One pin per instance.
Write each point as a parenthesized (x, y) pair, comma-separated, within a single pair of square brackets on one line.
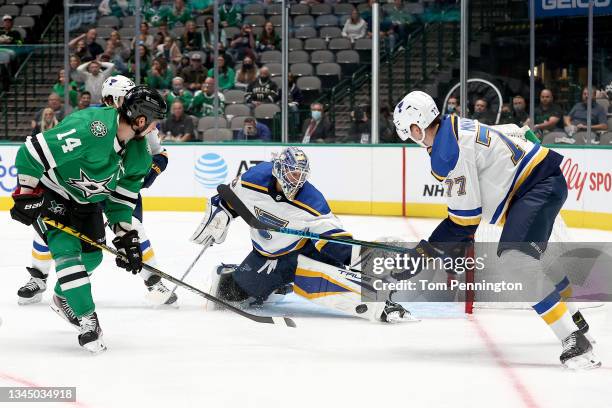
[(483, 169)]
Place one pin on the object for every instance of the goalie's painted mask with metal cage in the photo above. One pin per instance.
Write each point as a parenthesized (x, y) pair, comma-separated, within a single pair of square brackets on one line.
[(291, 168)]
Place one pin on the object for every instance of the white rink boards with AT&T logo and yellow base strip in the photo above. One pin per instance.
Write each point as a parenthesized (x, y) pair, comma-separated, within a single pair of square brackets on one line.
[(356, 179)]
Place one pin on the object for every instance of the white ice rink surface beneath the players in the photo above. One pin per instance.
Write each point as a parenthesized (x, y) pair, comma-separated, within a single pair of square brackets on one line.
[(188, 357)]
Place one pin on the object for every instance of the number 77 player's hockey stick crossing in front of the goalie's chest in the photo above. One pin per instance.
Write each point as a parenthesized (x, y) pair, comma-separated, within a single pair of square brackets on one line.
[(237, 205)]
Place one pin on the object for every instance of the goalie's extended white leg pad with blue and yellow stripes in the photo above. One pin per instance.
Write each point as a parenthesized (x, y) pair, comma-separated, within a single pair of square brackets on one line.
[(335, 288)]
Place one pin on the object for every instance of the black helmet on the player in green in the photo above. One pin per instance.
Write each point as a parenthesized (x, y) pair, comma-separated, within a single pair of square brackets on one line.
[(143, 101)]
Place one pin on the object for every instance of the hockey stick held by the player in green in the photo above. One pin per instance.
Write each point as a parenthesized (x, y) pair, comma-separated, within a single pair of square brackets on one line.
[(178, 282)]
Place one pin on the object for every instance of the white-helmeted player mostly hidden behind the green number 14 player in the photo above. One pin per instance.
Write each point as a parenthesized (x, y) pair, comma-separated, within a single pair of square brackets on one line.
[(113, 92)]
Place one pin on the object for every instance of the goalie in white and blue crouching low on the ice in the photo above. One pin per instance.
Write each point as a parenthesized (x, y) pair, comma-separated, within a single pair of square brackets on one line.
[(279, 193)]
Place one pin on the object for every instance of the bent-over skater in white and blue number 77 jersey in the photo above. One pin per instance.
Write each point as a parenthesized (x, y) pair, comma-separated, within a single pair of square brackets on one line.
[(494, 177)]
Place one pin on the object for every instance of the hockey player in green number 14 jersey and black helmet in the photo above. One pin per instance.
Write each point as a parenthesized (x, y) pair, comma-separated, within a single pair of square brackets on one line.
[(94, 156)]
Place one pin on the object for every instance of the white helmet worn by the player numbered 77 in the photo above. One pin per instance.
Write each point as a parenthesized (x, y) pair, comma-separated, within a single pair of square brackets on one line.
[(417, 108)]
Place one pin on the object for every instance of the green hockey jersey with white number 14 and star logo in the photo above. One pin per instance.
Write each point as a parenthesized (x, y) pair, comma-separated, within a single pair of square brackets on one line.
[(82, 159)]
